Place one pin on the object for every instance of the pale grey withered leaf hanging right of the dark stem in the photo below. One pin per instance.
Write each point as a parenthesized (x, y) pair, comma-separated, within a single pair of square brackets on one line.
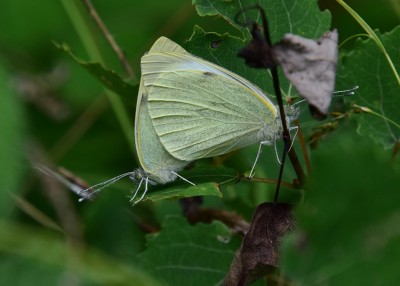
[(310, 65)]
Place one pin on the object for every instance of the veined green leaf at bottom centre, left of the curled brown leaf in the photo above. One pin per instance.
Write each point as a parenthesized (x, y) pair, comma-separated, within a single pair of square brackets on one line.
[(184, 254)]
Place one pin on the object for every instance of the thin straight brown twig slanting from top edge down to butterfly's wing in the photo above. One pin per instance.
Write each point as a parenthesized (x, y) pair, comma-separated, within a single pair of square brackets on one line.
[(110, 39)]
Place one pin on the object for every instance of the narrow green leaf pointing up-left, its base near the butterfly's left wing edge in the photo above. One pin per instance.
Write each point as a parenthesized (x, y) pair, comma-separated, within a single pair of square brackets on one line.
[(110, 79)]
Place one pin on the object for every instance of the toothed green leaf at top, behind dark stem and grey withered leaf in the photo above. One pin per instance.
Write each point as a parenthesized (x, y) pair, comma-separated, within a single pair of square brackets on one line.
[(299, 17)]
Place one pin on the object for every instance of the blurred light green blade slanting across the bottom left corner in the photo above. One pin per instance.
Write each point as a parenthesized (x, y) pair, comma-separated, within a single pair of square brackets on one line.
[(43, 250)]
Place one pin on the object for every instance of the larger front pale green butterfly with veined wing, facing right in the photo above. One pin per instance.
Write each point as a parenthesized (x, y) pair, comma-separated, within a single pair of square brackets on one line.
[(199, 109)]
